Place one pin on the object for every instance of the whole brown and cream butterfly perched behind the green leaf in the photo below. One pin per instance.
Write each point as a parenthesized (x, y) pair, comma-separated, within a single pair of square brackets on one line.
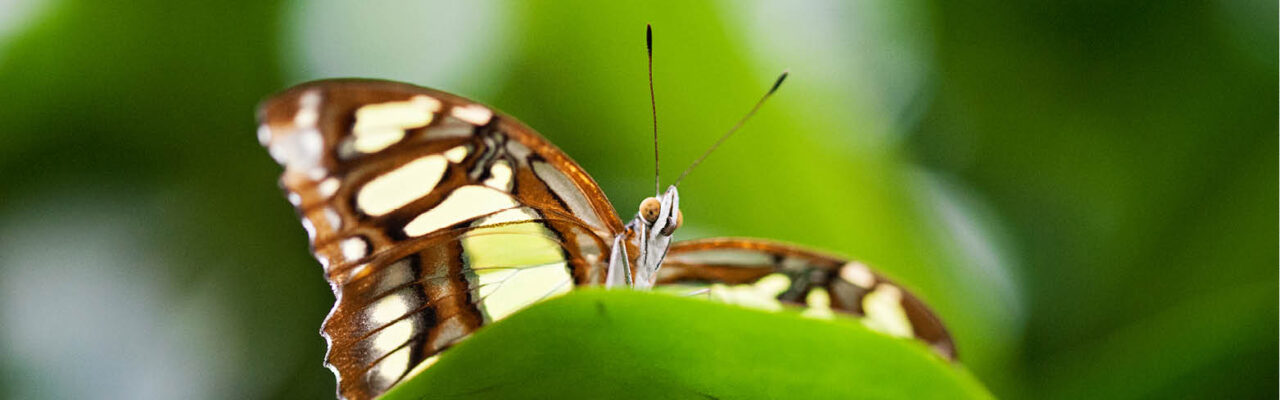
[(435, 216)]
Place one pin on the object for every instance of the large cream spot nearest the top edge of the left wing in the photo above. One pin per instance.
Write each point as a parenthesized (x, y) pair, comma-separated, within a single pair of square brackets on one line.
[(380, 126)]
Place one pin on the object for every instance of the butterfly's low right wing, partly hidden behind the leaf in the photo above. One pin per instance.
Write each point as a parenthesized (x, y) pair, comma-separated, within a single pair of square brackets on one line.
[(766, 274)]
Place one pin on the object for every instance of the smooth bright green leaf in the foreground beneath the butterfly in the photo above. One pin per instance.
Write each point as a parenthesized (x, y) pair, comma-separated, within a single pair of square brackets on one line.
[(642, 346)]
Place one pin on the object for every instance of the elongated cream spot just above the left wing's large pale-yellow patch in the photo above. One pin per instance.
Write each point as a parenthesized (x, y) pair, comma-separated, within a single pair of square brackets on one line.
[(465, 203)]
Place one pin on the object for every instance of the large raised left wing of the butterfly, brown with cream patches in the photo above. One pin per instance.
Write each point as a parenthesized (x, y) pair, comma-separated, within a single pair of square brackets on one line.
[(432, 216)]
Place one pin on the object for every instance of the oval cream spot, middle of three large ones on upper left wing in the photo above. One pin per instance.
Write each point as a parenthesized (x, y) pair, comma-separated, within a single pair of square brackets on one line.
[(401, 187)]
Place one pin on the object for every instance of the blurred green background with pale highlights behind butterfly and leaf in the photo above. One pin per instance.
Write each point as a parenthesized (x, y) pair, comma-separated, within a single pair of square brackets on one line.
[(1085, 190)]
